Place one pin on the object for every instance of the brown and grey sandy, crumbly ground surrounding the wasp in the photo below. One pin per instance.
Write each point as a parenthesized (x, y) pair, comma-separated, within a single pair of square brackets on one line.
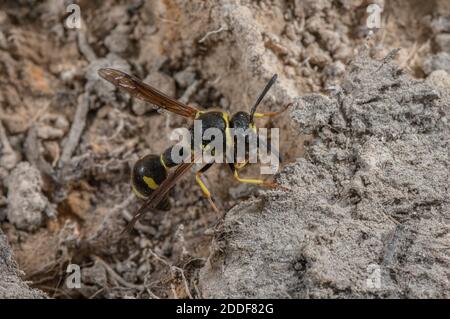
[(365, 148)]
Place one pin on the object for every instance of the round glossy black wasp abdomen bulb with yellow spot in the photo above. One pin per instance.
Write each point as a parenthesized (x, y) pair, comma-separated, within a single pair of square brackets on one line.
[(147, 175)]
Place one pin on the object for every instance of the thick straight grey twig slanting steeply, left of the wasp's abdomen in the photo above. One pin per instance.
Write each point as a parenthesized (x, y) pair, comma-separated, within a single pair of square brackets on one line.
[(77, 128)]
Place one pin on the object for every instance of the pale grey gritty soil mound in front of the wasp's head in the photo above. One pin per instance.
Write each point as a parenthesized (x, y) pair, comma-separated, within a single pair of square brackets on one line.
[(372, 191)]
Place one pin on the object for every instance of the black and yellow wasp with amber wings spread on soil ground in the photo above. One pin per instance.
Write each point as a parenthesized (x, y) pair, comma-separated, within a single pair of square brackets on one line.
[(151, 178)]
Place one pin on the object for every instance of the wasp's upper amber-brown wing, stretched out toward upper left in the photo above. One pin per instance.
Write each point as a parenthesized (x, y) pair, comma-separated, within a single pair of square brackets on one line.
[(140, 90)]
